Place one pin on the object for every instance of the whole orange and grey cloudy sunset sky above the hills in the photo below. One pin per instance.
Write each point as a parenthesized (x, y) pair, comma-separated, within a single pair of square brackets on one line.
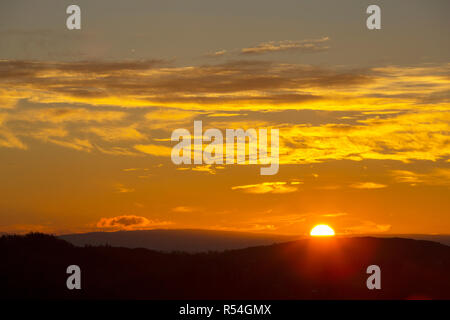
[(86, 115)]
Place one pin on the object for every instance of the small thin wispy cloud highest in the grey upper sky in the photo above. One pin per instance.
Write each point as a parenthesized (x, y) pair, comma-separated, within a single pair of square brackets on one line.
[(304, 46)]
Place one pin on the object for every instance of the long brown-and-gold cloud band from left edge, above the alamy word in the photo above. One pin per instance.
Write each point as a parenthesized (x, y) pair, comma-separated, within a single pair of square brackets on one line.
[(118, 84)]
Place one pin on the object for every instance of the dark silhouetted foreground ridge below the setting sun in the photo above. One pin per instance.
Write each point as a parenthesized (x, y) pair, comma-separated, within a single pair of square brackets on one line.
[(34, 266)]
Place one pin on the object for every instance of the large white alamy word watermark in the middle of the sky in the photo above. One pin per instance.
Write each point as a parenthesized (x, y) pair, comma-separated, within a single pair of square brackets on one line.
[(249, 146)]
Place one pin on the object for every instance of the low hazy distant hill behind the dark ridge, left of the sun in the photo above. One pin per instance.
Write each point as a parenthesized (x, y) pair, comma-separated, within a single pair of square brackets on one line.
[(177, 240)]
